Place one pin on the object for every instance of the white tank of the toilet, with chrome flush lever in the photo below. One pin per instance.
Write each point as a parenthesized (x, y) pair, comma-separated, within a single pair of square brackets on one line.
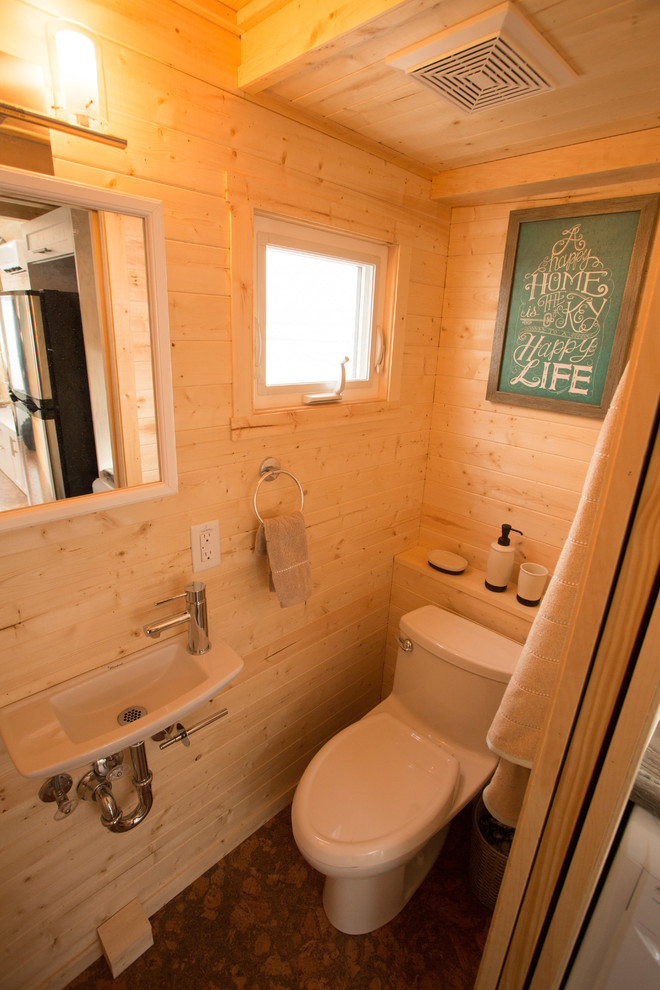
[(454, 676)]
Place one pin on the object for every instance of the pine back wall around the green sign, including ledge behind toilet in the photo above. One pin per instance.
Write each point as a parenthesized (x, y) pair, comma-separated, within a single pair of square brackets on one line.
[(490, 463)]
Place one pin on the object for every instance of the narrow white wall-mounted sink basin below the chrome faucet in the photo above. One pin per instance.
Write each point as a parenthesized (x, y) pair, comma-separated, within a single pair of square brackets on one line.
[(76, 722)]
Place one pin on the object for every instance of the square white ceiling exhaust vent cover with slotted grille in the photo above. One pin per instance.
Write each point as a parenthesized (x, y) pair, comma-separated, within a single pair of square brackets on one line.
[(485, 62)]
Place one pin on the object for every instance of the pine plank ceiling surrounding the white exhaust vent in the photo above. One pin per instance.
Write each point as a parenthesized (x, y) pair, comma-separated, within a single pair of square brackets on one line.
[(326, 62)]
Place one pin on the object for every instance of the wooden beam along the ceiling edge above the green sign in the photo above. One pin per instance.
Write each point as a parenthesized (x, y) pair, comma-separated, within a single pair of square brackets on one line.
[(624, 157)]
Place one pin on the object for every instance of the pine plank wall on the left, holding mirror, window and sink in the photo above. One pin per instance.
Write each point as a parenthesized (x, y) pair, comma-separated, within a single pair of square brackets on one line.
[(75, 594)]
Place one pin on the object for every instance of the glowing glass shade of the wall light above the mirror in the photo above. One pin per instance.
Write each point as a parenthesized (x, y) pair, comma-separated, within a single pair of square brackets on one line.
[(76, 66)]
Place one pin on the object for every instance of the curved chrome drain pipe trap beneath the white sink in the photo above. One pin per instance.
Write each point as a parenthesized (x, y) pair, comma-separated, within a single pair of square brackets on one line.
[(95, 786)]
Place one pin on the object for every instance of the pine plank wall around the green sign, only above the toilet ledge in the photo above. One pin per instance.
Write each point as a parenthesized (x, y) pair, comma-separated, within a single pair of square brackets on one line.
[(489, 463)]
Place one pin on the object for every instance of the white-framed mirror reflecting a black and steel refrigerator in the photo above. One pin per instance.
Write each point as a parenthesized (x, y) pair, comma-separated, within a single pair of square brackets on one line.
[(86, 415)]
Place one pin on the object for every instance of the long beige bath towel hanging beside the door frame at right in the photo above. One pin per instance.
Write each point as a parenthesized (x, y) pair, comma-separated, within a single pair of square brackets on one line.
[(516, 729)]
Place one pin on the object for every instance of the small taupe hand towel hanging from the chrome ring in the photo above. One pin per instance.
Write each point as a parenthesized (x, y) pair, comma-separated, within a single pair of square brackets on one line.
[(284, 541)]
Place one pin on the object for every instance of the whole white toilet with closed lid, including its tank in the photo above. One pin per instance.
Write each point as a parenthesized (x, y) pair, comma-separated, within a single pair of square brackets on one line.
[(372, 809)]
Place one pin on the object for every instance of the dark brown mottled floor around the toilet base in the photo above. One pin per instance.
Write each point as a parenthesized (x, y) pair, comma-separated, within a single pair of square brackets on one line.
[(255, 922)]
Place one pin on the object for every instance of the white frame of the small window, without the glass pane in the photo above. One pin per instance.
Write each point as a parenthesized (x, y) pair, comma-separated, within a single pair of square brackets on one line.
[(271, 229)]
